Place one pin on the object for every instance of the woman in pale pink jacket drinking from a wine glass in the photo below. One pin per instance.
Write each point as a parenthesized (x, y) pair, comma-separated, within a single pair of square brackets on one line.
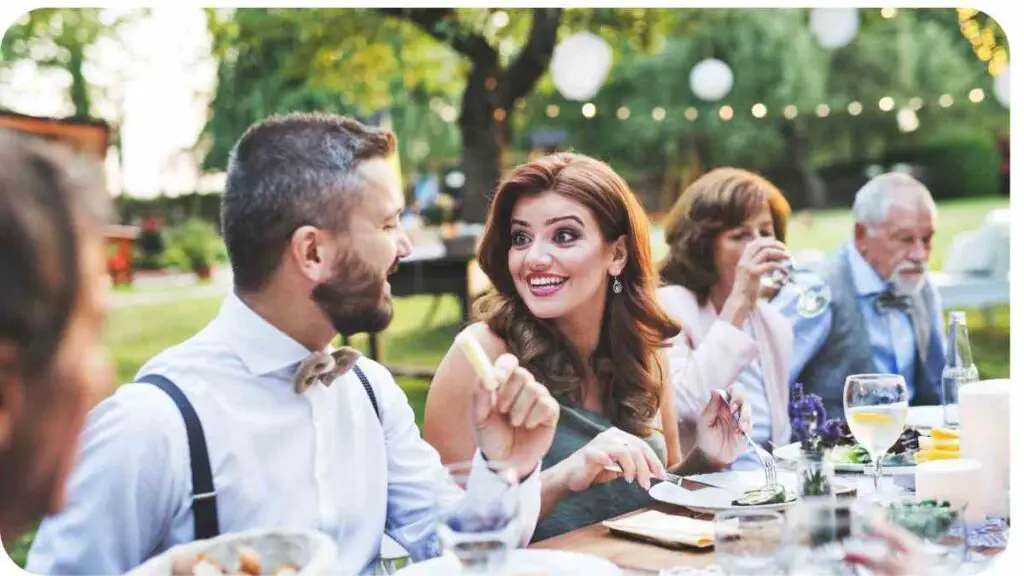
[(726, 232)]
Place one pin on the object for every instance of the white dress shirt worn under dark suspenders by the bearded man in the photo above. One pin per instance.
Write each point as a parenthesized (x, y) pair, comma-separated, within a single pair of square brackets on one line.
[(321, 461)]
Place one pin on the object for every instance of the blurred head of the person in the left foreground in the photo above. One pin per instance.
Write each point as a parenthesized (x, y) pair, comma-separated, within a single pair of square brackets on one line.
[(53, 365)]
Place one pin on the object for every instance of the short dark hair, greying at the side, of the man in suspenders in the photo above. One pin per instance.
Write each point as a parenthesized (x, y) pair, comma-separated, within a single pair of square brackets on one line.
[(286, 173)]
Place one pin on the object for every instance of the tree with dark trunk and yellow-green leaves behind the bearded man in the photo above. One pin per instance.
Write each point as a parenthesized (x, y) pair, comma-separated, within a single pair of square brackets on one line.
[(368, 60)]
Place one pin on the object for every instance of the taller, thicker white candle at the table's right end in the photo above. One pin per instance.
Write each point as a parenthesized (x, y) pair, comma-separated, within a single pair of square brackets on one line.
[(985, 409)]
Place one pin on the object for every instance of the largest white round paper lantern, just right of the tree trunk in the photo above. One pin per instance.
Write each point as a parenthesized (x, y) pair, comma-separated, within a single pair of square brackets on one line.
[(580, 65)]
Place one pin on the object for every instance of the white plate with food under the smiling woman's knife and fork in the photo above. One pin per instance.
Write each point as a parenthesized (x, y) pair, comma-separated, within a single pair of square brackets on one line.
[(722, 489)]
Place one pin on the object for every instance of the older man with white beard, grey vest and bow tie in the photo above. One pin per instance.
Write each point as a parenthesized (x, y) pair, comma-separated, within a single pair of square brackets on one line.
[(884, 315)]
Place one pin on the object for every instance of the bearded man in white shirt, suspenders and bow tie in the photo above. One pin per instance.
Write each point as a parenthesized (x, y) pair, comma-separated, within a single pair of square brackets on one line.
[(311, 220)]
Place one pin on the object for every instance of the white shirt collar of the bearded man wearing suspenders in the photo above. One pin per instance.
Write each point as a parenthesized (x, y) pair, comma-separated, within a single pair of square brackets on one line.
[(262, 346)]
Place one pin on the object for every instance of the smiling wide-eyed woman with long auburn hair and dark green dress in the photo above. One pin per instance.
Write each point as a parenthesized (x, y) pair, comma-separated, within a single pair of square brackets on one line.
[(568, 249)]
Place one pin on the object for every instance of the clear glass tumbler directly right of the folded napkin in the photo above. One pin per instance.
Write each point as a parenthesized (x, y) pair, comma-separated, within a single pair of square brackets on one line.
[(749, 543)]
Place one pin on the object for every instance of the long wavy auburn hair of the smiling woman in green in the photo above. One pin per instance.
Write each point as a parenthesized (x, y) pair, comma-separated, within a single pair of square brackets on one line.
[(633, 325)]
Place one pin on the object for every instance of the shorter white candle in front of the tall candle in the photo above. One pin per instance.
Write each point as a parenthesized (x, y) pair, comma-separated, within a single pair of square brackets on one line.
[(956, 481)]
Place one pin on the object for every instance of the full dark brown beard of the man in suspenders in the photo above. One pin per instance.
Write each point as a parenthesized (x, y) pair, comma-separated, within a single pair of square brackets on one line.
[(354, 298)]
